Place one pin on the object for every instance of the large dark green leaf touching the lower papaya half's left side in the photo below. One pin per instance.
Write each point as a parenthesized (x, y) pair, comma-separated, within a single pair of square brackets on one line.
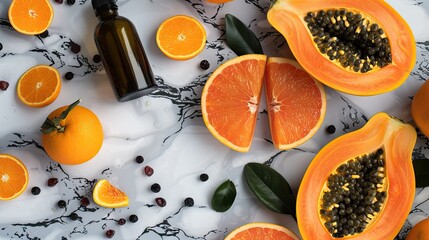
[(271, 188)]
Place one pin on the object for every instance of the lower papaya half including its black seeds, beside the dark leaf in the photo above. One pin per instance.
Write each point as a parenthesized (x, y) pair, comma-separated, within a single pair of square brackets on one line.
[(361, 185)]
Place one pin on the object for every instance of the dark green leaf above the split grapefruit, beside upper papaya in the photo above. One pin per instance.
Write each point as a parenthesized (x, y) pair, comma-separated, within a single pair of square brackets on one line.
[(240, 38)]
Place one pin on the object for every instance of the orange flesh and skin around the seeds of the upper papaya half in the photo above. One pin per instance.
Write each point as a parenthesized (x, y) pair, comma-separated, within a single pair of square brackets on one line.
[(287, 16)]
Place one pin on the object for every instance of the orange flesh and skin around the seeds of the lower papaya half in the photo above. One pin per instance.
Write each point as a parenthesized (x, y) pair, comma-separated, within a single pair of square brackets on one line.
[(381, 131)]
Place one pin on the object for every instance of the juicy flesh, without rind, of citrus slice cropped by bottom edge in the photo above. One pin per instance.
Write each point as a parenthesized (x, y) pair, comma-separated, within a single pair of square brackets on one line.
[(259, 233)]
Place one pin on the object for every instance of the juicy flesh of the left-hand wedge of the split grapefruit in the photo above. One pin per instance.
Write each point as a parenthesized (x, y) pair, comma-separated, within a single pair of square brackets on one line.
[(232, 101)]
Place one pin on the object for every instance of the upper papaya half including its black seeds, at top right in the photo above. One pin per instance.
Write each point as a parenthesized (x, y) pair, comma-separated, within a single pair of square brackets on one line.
[(357, 47)]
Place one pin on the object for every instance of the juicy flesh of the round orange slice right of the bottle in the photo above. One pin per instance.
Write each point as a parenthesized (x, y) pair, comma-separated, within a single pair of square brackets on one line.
[(181, 36)]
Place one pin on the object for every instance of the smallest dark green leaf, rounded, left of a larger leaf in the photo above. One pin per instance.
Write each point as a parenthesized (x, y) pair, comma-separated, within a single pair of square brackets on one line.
[(224, 196)]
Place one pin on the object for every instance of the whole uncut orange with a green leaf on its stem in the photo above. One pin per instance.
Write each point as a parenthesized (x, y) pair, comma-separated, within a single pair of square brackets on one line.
[(72, 134)]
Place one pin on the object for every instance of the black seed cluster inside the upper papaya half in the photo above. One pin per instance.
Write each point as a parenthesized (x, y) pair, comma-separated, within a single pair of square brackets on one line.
[(357, 43)]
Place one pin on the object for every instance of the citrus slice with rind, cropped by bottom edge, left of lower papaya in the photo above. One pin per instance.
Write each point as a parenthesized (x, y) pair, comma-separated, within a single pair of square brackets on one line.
[(261, 231)]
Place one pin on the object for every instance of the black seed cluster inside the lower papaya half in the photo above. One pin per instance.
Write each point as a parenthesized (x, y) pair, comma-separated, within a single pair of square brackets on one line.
[(354, 195)]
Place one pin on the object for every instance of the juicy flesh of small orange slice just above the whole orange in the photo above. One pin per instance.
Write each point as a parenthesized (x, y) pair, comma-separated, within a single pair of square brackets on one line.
[(38, 85)]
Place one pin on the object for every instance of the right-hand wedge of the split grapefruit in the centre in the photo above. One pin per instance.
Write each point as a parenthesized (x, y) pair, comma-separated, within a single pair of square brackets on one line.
[(296, 103)]
